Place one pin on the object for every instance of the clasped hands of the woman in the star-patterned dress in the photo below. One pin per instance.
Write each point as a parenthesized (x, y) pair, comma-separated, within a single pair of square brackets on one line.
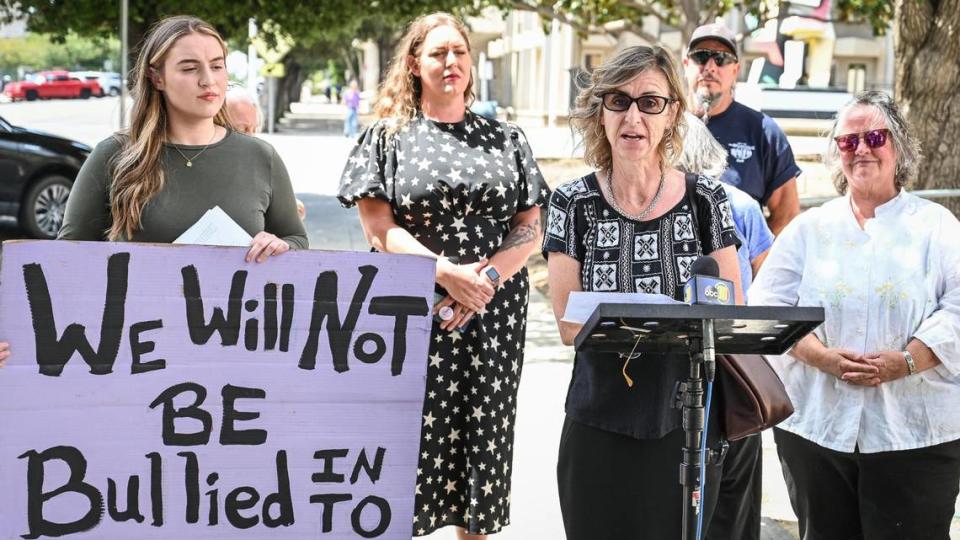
[(469, 291)]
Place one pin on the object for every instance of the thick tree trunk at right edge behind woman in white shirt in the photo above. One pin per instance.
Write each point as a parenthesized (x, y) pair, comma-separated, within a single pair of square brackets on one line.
[(927, 42)]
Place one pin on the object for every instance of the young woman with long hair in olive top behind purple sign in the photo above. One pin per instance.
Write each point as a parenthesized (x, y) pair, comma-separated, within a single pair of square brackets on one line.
[(181, 156)]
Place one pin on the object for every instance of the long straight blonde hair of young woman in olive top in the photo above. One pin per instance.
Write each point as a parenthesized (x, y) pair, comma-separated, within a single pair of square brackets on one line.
[(137, 169)]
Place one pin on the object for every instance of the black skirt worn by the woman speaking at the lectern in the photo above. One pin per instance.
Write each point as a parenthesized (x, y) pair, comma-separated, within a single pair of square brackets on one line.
[(615, 487)]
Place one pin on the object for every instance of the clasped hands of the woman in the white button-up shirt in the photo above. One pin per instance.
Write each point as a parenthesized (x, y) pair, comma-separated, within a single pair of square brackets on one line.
[(871, 369)]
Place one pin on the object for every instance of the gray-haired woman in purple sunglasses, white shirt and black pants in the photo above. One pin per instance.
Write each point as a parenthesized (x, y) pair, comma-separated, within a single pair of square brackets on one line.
[(873, 449)]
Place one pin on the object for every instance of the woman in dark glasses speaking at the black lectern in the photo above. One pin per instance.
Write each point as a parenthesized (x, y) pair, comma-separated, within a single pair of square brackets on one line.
[(630, 227)]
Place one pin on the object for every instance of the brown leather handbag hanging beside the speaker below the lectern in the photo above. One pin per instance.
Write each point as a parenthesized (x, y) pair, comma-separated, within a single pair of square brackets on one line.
[(754, 398)]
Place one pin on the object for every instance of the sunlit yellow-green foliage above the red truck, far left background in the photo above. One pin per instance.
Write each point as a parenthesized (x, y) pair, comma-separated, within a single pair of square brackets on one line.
[(36, 52)]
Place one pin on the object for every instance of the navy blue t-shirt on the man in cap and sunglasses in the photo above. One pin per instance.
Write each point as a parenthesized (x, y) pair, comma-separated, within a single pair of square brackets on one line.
[(759, 156)]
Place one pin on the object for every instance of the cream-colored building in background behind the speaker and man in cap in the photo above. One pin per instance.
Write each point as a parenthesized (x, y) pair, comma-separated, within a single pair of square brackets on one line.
[(532, 74)]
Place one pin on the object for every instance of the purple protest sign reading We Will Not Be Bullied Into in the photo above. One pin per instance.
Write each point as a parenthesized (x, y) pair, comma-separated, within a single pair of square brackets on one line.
[(179, 392)]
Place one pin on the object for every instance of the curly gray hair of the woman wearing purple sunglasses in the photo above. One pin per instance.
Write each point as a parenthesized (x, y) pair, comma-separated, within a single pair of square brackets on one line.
[(905, 144)]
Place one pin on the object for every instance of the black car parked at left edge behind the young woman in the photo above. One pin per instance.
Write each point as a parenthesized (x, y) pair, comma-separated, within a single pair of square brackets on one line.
[(37, 171)]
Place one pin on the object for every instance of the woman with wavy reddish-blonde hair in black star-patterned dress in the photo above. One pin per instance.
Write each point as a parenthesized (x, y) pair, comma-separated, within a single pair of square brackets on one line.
[(432, 178)]
